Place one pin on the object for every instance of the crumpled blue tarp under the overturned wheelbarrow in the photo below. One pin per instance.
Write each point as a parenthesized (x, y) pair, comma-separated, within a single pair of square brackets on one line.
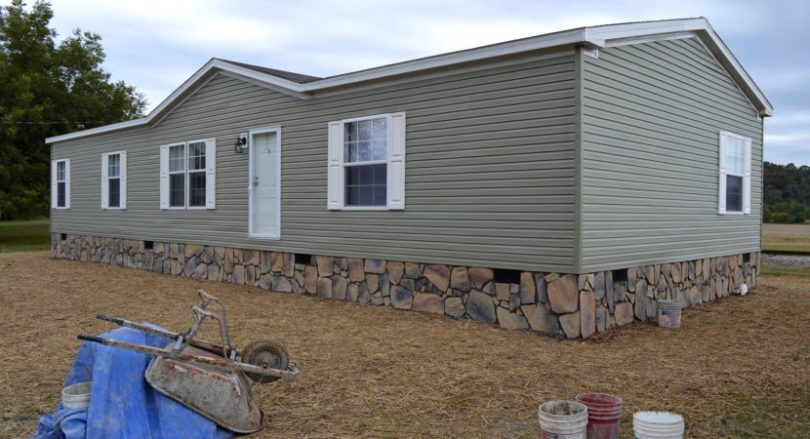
[(122, 404)]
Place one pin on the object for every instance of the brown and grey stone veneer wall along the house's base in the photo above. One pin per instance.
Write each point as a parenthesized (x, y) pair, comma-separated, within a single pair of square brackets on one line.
[(564, 305)]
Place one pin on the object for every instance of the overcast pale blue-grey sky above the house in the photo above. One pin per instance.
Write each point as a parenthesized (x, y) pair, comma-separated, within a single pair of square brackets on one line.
[(156, 45)]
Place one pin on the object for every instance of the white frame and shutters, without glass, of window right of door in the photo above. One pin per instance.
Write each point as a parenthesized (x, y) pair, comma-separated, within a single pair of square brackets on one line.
[(389, 162)]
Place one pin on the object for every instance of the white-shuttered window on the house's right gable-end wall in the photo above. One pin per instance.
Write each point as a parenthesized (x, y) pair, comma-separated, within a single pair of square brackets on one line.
[(735, 174)]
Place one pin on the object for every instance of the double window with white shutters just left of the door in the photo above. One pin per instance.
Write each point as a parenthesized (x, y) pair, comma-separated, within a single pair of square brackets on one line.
[(187, 176)]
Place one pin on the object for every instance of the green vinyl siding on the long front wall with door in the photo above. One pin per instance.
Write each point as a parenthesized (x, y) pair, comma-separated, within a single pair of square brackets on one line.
[(489, 169)]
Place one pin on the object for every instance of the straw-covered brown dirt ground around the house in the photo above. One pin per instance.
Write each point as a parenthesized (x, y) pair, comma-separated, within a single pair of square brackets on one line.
[(737, 368)]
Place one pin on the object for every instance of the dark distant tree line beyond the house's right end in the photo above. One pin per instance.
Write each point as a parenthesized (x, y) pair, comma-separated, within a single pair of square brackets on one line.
[(786, 193)]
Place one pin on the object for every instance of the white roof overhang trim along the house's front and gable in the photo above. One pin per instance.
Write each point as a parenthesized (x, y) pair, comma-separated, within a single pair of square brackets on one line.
[(594, 37)]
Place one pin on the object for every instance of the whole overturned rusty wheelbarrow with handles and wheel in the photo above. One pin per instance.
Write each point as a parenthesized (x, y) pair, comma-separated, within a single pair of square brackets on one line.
[(207, 377)]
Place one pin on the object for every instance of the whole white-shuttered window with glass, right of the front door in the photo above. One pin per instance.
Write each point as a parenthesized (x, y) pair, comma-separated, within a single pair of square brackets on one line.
[(367, 163)]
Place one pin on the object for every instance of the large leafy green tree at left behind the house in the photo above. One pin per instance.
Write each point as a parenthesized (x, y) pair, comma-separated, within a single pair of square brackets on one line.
[(48, 88)]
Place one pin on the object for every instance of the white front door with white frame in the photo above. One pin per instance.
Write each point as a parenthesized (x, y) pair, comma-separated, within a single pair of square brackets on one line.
[(265, 183)]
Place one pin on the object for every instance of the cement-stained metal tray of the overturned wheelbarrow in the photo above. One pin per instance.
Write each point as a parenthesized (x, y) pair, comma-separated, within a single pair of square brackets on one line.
[(220, 395)]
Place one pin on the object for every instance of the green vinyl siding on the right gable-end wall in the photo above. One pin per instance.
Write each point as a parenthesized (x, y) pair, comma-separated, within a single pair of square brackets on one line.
[(651, 118)]
